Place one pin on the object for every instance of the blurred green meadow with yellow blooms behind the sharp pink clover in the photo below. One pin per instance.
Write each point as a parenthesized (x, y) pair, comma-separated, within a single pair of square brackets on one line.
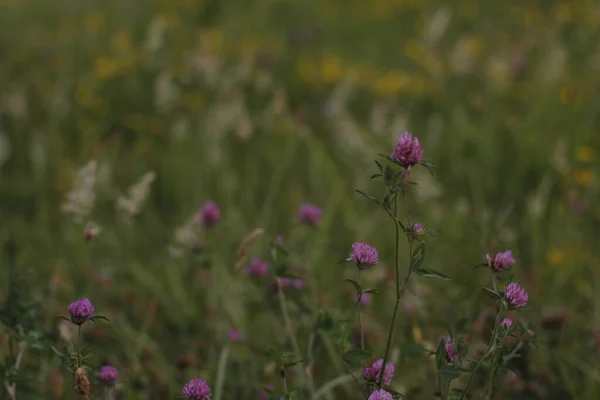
[(262, 106)]
